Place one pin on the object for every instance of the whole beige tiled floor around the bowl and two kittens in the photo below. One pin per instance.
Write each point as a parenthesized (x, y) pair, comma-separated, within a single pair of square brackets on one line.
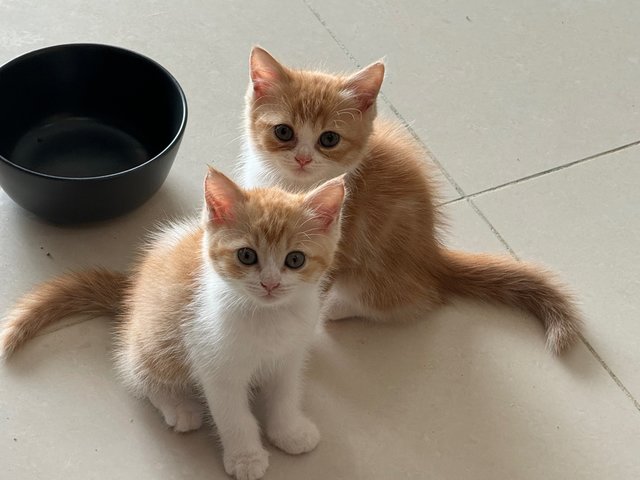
[(532, 112)]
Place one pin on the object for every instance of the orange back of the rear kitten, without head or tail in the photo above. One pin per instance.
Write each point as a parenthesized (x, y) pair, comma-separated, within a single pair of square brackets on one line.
[(391, 212)]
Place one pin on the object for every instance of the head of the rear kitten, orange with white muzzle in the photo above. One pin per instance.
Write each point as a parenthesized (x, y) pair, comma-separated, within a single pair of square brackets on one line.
[(310, 126)]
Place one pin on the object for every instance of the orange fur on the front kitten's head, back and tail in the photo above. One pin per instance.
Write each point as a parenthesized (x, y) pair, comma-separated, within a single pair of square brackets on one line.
[(152, 302)]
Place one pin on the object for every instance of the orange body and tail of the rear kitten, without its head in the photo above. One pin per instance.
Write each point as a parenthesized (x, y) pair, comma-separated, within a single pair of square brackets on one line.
[(392, 259)]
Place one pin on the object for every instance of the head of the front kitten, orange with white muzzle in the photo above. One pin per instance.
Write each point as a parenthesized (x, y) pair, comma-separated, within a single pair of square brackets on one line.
[(268, 243)]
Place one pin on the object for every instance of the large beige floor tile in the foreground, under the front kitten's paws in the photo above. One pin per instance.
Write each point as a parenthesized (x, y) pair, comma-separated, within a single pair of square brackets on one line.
[(468, 392)]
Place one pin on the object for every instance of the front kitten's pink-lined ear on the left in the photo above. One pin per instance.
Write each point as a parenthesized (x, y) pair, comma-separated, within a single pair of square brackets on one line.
[(221, 197)]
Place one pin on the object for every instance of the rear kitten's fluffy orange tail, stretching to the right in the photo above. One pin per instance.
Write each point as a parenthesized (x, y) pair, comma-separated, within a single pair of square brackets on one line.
[(517, 284)]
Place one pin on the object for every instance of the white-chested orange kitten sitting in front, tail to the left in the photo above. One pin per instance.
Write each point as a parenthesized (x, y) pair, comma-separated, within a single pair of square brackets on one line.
[(215, 308)]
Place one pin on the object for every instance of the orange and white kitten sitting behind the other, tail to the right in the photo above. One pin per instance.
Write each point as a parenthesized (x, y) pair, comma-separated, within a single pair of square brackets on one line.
[(304, 127)]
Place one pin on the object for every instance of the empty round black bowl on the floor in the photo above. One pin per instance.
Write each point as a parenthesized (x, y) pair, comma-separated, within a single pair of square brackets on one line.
[(87, 132)]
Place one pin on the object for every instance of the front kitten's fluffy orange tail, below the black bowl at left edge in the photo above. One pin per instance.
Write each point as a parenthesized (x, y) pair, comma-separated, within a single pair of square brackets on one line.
[(95, 292)]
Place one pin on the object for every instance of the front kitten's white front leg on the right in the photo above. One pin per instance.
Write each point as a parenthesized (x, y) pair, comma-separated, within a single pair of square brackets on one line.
[(287, 427)]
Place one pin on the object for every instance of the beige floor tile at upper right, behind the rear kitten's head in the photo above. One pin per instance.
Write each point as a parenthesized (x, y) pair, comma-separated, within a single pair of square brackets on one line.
[(504, 90)]
